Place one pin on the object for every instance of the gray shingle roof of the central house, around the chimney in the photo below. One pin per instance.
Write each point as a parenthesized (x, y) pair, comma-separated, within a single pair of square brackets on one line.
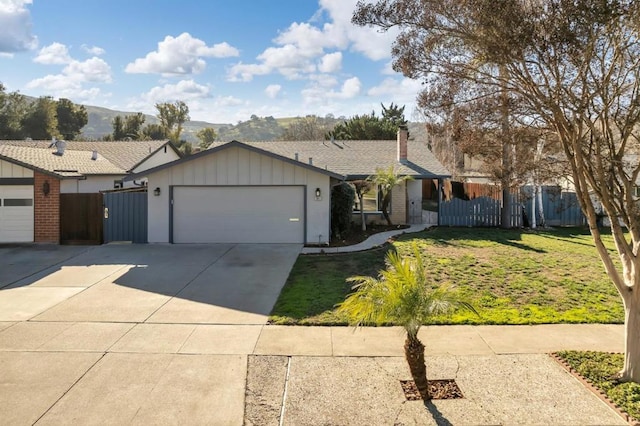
[(357, 159)]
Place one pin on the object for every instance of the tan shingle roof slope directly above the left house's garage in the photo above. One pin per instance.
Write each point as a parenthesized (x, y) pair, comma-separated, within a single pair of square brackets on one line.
[(71, 164)]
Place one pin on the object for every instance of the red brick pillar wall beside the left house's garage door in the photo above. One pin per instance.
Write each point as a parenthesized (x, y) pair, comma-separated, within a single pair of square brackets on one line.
[(46, 209)]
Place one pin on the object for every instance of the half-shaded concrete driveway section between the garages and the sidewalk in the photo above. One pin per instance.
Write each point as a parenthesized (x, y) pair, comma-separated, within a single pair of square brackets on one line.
[(195, 284)]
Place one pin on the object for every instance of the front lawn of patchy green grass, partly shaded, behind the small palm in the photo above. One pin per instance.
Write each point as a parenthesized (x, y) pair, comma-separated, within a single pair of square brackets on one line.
[(510, 276)]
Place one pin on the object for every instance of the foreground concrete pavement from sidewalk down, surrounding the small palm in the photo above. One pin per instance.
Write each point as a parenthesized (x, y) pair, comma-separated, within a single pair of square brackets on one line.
[(60, 373)]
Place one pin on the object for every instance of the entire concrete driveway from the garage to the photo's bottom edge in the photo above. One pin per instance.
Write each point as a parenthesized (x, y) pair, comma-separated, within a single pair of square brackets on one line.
[(133, 334)]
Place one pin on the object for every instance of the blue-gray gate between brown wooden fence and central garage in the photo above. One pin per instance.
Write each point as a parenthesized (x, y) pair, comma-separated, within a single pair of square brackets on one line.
[(125, 216)]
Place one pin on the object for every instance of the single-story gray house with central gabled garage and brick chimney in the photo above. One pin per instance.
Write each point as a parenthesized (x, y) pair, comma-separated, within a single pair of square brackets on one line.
[(277, 191)]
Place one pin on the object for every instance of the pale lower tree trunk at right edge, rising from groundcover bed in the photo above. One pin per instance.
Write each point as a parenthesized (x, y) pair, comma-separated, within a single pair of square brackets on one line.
[(631, 370)]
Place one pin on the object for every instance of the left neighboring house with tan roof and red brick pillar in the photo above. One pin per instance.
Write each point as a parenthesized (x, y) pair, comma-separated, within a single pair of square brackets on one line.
[(33, 175)]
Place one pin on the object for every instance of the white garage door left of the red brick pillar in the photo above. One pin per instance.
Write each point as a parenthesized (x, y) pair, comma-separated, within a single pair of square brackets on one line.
[(16, 213)]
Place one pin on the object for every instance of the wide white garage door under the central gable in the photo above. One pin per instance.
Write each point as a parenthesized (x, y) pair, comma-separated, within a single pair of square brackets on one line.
[(238, 214)]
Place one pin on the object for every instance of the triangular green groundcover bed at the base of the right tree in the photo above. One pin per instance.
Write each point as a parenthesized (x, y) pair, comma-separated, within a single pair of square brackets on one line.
[(599, 368)]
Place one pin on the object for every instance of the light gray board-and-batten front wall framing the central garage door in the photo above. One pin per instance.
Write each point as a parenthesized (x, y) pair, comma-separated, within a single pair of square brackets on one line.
[(237, 166)]
